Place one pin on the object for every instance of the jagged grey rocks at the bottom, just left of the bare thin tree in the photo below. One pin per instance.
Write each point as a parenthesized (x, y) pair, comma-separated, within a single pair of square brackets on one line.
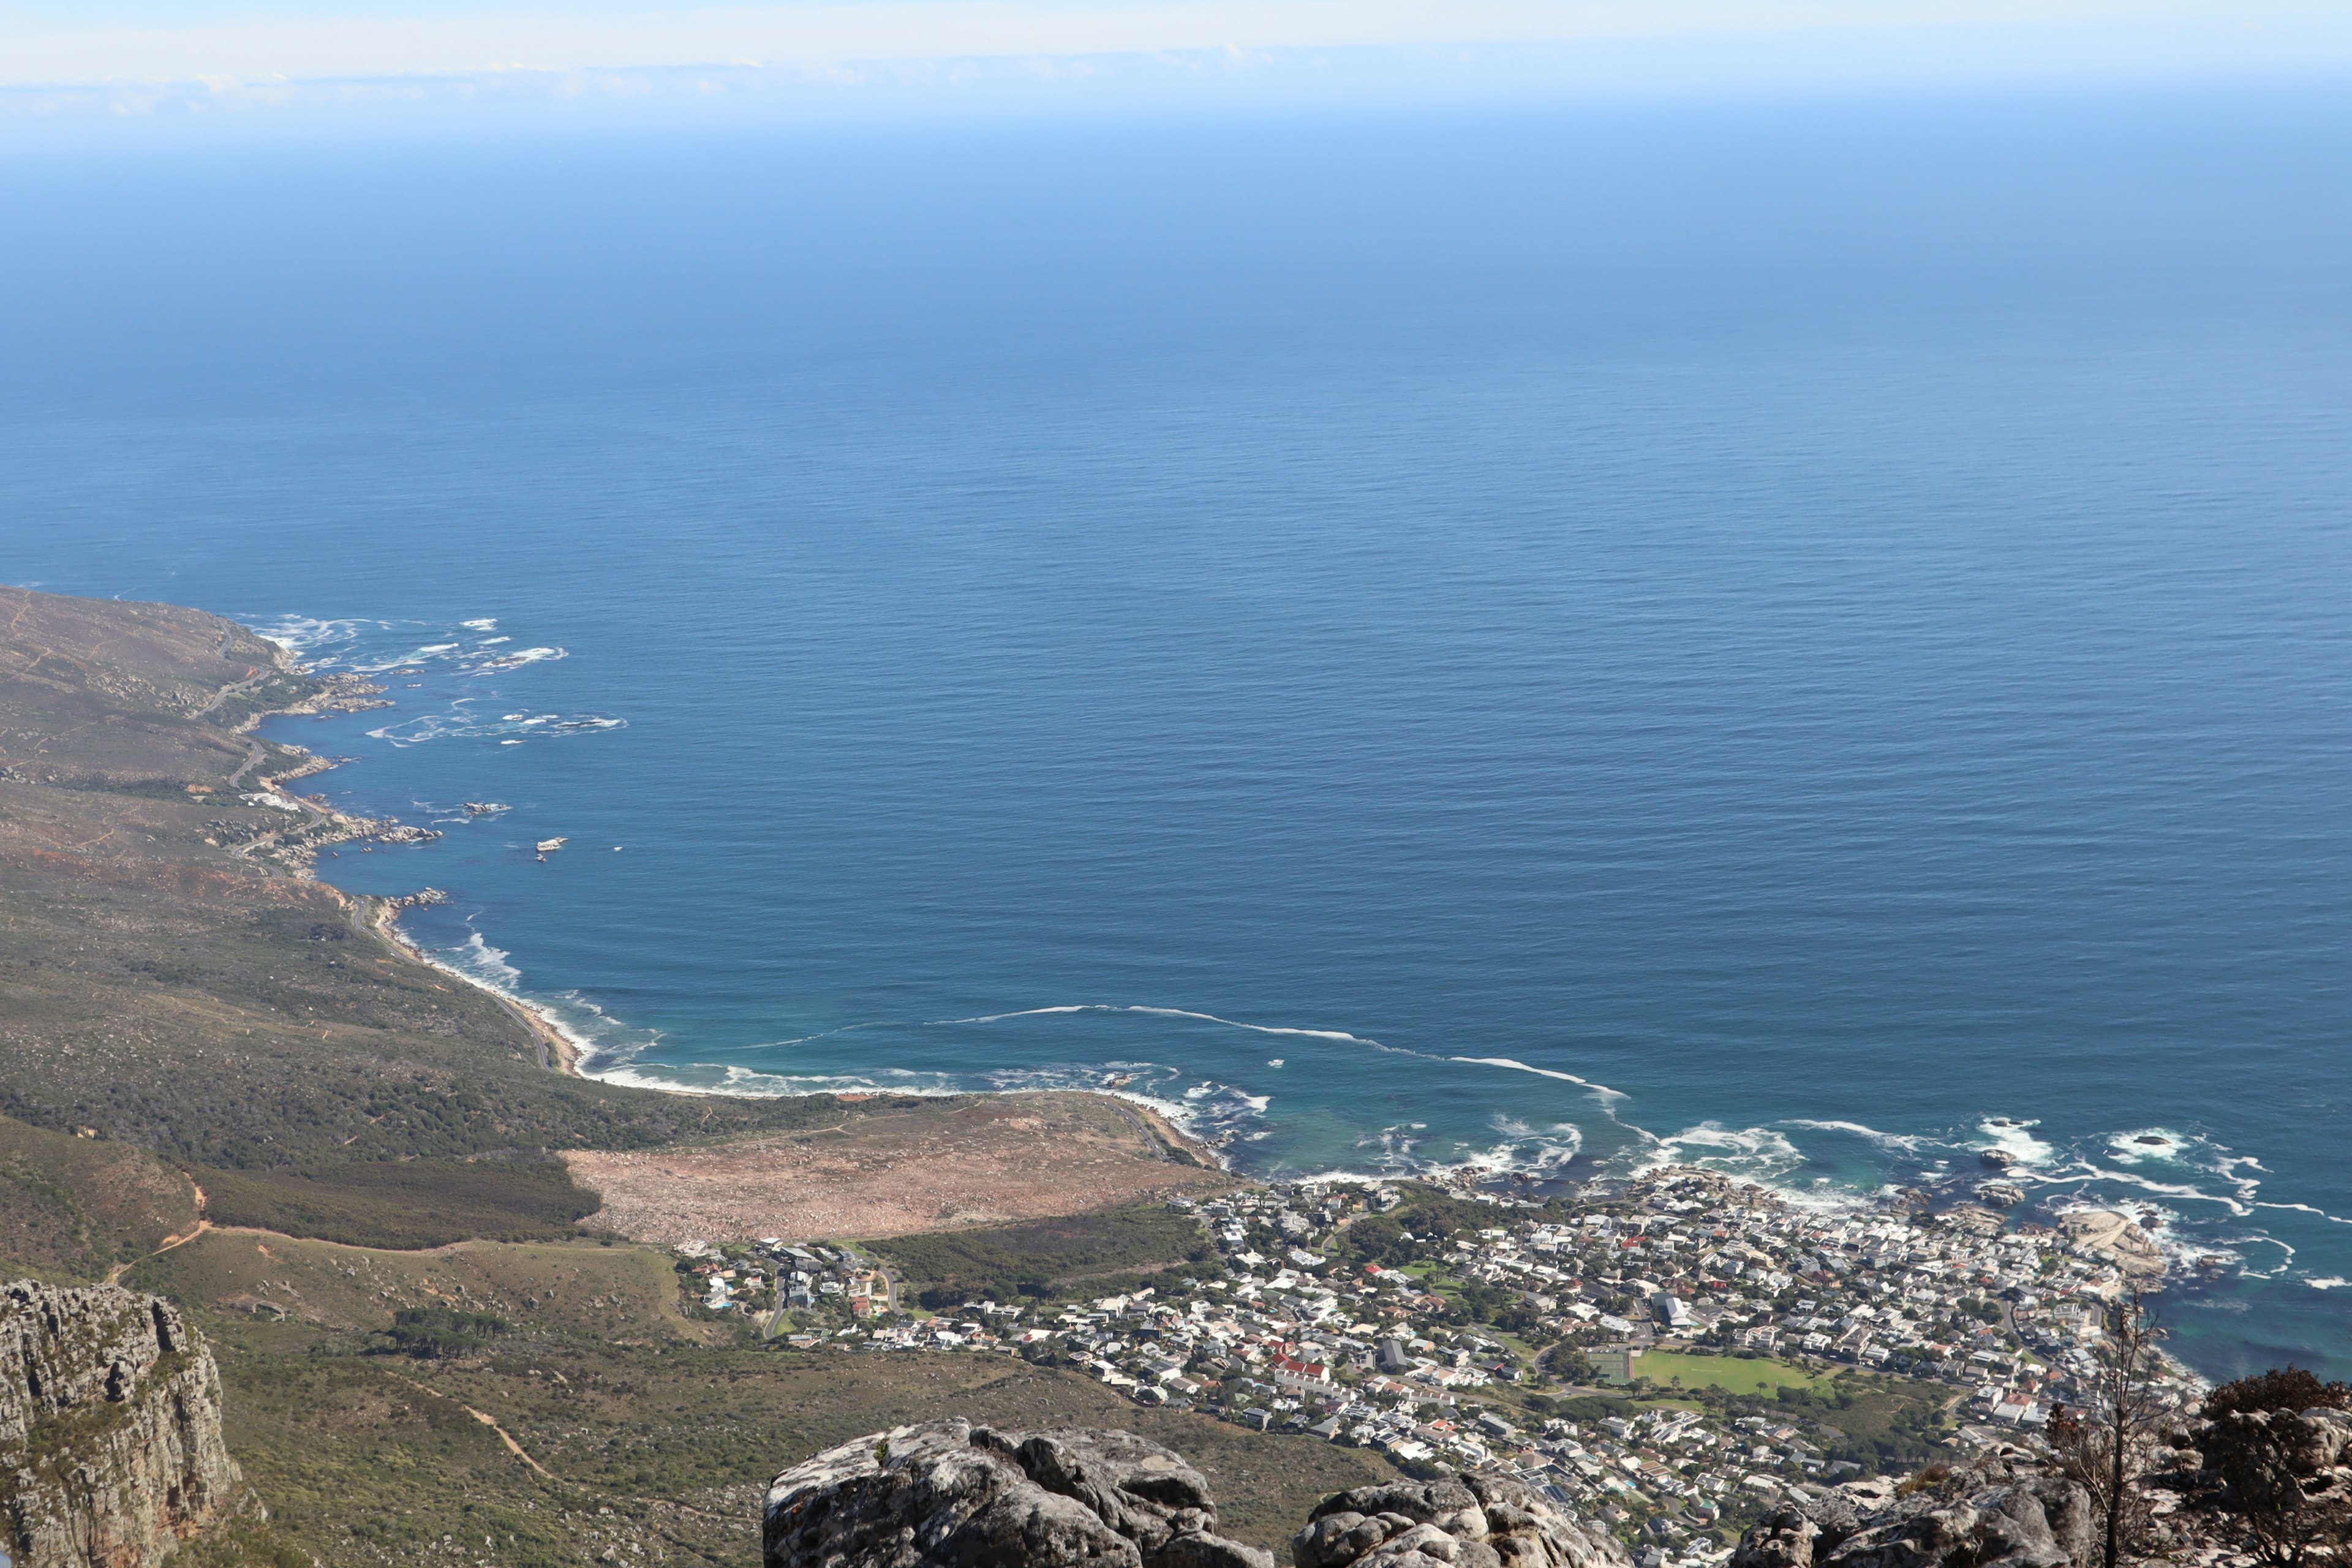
[(1982, 1520)]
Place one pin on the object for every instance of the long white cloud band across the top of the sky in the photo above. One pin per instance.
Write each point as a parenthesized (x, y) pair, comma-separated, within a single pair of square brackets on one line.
[(761, 46)]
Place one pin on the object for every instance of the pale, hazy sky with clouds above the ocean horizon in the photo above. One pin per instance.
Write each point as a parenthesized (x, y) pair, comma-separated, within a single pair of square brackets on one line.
[(293, 67)]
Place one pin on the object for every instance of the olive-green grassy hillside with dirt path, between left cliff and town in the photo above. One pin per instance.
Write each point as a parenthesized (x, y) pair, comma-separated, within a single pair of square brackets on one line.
[(624, 1405)]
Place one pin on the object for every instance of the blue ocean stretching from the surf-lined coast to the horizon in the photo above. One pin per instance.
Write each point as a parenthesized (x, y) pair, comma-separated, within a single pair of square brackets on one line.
[(1805, 638)]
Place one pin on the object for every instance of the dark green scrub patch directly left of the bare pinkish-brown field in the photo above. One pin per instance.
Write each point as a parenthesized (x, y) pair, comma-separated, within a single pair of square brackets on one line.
[(403, 1205)]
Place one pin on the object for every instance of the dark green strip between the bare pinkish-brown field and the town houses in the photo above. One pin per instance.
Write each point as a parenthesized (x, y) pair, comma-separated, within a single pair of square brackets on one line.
[(1100, 1254)]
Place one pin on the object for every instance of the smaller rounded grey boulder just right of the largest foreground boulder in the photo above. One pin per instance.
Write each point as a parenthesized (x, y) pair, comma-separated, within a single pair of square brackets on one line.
[(1462, 1522)]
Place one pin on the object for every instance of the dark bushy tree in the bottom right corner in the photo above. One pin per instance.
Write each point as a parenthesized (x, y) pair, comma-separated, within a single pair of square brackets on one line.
[(2273, 1447)]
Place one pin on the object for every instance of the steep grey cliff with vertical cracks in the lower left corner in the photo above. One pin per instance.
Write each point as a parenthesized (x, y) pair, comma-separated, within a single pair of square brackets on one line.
[(109, 1428)]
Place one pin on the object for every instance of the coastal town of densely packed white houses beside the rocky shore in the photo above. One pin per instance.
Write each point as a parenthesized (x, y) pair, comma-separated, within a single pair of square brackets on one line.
[(1669, 1355)]
